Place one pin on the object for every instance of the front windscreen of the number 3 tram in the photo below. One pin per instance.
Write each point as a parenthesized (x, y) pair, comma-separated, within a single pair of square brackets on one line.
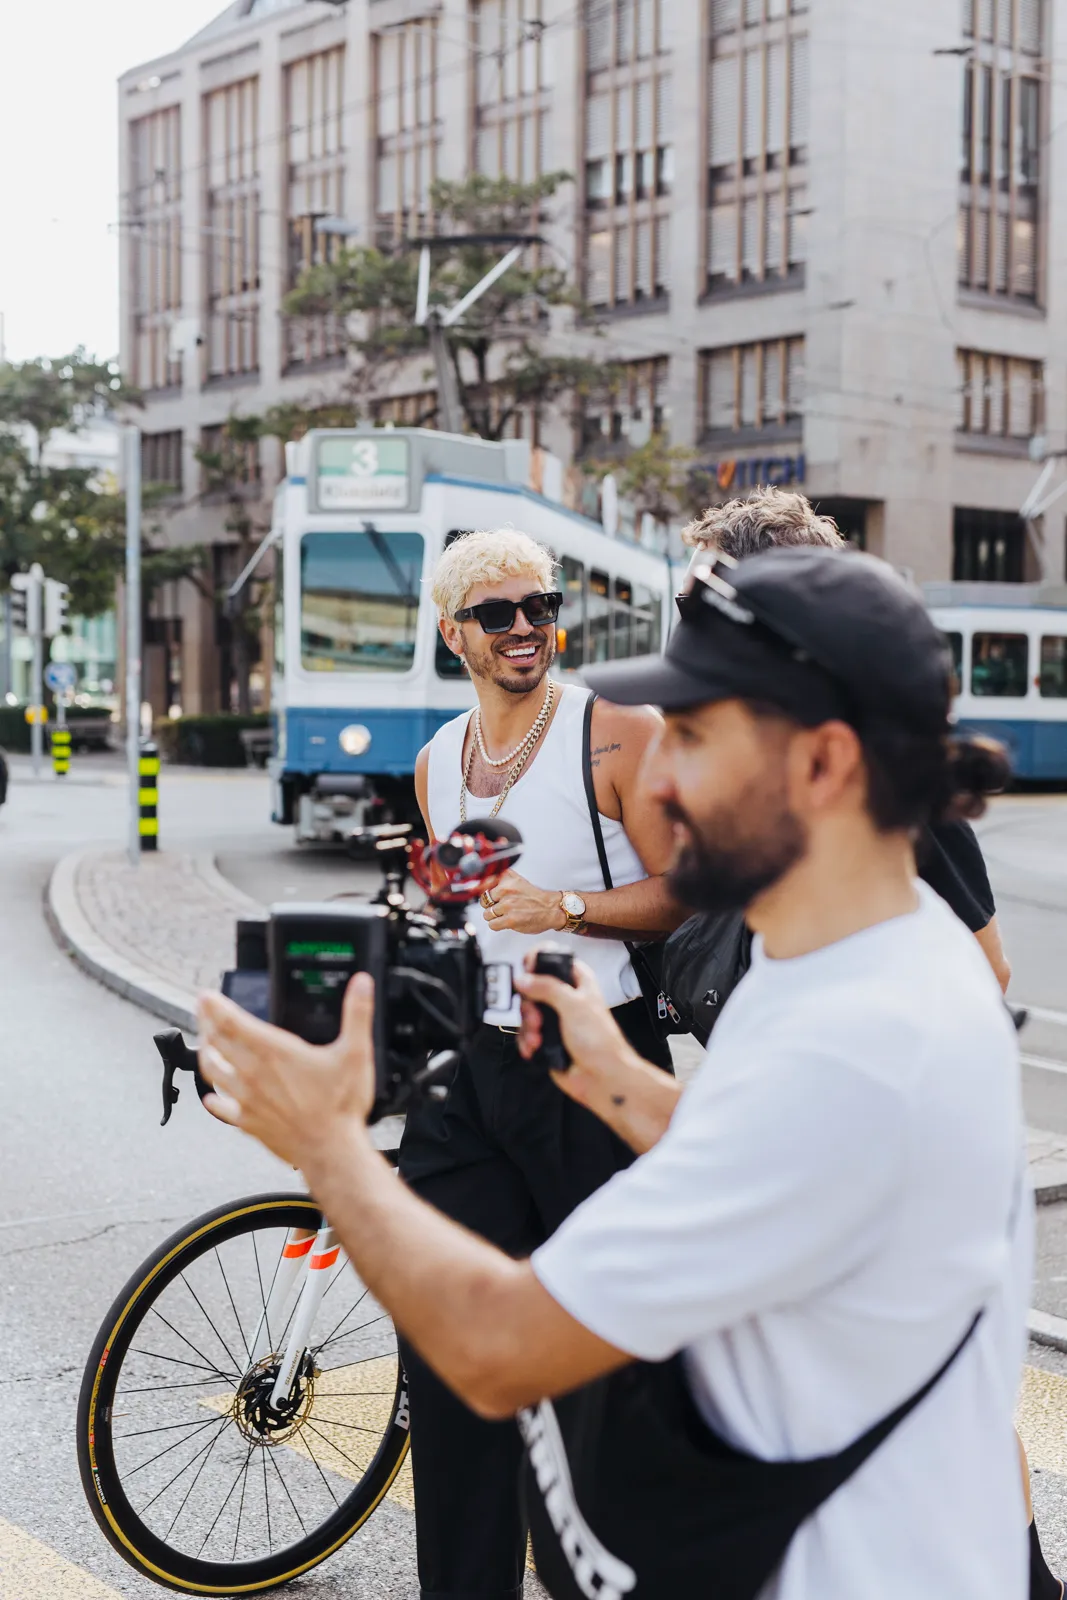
[(361, 601)]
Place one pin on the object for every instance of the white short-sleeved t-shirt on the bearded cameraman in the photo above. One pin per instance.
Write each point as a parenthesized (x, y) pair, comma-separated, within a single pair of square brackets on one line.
[(829, 1209)]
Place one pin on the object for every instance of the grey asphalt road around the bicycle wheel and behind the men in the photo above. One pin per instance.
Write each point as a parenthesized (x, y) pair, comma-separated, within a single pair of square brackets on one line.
[(90, 1183)]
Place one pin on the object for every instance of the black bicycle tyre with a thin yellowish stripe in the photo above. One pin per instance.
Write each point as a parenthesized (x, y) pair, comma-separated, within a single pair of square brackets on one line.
[(140, 1546)]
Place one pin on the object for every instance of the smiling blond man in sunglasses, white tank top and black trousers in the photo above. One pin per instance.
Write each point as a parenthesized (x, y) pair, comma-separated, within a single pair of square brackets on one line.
[(508, 1156)]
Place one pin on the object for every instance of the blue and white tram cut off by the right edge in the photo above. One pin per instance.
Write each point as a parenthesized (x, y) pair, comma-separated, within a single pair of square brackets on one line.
[(1012, 674)]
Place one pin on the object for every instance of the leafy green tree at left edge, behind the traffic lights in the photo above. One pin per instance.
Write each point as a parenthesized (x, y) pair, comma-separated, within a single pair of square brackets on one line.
[(65, 518)]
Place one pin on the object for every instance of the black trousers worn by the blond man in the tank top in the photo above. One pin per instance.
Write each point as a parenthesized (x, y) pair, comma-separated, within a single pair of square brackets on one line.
[(510, 1156)]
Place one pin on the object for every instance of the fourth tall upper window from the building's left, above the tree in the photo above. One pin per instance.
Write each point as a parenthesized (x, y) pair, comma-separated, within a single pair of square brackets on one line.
[(407, 129)]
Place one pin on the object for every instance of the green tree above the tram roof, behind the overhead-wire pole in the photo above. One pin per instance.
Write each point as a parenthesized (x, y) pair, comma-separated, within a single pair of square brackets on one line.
[(500, 351)]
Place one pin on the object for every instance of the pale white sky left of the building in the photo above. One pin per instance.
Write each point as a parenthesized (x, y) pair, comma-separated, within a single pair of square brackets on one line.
[(60, 62)]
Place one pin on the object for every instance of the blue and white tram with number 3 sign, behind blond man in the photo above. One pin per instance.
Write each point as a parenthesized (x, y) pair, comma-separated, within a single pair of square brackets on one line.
[(362, 679)]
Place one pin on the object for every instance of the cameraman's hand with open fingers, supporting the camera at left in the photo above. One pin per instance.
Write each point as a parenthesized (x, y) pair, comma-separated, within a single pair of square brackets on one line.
[(284, 1092)]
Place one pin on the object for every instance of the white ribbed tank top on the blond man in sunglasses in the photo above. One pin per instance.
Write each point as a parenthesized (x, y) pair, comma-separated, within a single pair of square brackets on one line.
[(548, 806)]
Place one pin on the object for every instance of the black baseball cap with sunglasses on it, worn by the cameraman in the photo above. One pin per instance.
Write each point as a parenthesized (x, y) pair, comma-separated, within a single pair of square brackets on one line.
[(821, 634)]
